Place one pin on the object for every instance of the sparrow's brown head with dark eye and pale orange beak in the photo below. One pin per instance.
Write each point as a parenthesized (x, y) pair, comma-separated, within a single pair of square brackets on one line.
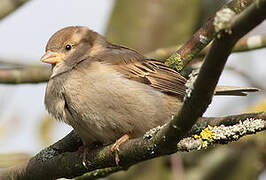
[(70, 45)]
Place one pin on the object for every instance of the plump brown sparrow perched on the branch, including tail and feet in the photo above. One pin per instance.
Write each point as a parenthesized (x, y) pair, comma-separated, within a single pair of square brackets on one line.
[(109, 93)]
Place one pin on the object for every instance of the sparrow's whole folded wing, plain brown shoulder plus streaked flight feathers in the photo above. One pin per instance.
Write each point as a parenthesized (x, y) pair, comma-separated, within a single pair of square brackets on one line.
[(156, 74)]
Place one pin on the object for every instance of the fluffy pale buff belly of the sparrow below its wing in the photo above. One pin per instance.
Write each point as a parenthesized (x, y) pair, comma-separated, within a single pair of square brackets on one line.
[(105, 106)]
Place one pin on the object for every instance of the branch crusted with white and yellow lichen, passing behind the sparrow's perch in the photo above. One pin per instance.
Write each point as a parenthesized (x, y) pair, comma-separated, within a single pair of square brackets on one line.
[(225, 130)]
